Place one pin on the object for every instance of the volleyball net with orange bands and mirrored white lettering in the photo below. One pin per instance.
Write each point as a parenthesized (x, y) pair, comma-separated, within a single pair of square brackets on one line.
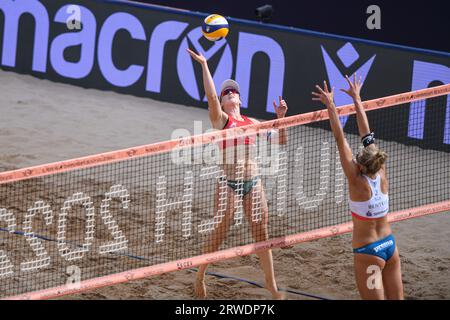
[(100, 220)]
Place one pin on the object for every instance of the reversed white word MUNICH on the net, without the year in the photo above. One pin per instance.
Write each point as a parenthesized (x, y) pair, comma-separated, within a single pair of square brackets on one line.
[(278, 179)]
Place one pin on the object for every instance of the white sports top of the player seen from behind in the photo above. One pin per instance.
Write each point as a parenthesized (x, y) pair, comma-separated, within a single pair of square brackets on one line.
[(376, 207)]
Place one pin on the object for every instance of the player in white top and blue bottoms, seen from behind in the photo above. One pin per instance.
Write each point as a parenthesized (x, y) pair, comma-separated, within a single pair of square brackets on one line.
[(375, 252)]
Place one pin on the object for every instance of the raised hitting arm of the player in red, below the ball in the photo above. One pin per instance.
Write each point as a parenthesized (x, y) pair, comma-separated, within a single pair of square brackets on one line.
[(216, 115)]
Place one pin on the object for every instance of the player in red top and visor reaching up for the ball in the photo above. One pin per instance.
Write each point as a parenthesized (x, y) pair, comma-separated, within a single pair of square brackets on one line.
[(224, 113)]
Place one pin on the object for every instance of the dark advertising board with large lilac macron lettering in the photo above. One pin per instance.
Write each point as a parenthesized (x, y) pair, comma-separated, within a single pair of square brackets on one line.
[(141, 50)]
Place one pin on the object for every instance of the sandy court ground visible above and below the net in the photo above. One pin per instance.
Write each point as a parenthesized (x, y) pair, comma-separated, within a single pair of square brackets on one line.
[(45, 122)]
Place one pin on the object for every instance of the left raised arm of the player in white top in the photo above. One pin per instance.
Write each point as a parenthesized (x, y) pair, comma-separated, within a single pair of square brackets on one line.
[(345, 152)]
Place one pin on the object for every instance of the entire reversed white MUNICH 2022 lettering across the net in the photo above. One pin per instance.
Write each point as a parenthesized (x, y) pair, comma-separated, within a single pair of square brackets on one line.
[(72, 250)]
